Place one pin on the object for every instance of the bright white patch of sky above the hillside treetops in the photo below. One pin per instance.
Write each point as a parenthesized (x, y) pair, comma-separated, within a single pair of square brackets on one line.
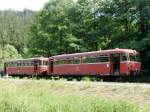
[(22, 4)]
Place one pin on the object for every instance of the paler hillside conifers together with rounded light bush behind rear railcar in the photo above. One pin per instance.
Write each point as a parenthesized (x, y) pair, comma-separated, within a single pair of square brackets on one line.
[(14, 28)]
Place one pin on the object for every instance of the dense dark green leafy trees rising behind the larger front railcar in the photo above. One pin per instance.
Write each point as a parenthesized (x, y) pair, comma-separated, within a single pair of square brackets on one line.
[(64, 26)]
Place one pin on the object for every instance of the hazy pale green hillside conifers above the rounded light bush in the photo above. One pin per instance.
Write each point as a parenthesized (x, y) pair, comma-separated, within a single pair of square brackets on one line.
[(14, 28)]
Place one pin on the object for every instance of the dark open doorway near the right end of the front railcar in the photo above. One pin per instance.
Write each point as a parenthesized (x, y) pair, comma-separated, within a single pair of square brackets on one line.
[(115, 59)]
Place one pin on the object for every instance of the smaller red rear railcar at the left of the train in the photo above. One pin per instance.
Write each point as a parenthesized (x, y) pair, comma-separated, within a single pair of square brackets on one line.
[(31, 66)]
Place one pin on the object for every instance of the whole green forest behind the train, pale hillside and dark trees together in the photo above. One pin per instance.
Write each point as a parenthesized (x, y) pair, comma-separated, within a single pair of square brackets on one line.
[(65, 26)]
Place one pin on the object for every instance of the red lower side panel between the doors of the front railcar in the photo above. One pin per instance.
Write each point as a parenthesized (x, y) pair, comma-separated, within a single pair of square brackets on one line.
[(83, 69)]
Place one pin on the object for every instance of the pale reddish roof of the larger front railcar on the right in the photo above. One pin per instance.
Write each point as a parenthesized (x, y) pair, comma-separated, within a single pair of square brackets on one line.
[(92, 53)]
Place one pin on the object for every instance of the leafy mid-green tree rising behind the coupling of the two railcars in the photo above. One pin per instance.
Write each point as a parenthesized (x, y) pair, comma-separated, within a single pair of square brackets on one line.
[(51, 33)]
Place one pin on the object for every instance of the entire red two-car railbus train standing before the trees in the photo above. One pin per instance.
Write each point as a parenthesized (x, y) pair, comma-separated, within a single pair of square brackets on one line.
[(105, 63)]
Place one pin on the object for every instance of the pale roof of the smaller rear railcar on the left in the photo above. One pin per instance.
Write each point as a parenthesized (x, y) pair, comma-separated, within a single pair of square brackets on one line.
[(29, 59)]
